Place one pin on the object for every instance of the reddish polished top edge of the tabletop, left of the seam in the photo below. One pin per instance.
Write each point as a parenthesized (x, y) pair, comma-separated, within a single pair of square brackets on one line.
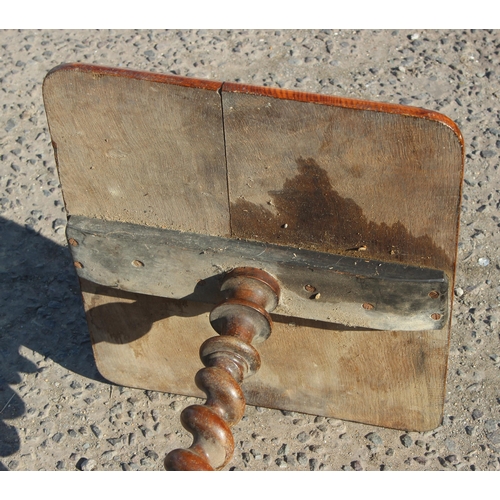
[(181, 81)]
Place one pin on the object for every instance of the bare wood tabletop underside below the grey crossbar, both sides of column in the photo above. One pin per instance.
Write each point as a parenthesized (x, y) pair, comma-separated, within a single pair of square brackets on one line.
[(391, 379)]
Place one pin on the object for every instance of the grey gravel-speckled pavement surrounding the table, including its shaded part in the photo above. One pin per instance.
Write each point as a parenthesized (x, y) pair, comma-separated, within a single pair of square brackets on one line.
[(56, 411)]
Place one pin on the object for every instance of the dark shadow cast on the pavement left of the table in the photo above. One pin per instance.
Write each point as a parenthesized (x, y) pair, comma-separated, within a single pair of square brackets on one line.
[(40, 309)]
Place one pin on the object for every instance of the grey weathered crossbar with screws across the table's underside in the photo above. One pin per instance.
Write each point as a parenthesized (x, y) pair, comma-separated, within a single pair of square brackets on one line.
[(340, 289)]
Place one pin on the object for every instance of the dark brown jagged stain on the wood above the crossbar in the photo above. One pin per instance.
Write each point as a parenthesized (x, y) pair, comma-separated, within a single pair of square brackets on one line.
[(312, 215)]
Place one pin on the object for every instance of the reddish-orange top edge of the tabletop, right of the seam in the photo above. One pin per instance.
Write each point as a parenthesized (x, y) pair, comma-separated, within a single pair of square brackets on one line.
[(344, 102)]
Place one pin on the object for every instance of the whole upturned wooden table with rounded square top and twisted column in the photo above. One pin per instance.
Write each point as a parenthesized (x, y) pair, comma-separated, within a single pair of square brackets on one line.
[(347, 211)]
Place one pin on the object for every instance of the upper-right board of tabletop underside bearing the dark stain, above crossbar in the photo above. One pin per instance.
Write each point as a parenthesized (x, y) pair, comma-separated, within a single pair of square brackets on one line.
[(336, 179)]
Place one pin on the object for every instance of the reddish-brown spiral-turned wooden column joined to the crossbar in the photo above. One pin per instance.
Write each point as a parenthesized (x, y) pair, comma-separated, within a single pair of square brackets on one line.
[(241, 320)]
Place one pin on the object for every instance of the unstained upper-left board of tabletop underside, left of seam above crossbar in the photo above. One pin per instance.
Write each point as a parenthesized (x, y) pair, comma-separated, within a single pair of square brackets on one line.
[(140, 149)]
